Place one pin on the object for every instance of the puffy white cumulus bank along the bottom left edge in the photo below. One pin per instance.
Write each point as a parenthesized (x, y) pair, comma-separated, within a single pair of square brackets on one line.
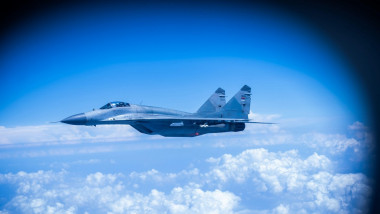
[(48, 192)]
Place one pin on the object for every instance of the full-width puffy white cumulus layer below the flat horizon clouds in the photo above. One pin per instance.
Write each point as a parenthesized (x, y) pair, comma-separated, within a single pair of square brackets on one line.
[(289, 182)]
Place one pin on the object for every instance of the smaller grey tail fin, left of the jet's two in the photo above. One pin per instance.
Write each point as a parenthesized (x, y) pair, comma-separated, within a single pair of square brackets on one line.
[(215, 103)]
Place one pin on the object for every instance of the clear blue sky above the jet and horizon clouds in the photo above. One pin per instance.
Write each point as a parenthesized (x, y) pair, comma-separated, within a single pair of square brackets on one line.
[(75, 59)]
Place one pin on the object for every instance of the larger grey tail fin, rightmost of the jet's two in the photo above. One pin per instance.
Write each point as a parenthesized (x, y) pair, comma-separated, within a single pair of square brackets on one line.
[(239, 105)]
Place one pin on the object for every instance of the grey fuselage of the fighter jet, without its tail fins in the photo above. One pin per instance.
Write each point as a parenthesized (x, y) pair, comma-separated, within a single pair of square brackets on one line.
[(154, 120)]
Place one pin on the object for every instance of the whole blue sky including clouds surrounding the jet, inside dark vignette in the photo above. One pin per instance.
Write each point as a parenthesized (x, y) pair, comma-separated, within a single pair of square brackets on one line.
[(70, 61)]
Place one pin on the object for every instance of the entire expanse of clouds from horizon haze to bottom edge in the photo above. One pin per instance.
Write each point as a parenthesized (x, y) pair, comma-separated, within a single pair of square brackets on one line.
[(275, 170)]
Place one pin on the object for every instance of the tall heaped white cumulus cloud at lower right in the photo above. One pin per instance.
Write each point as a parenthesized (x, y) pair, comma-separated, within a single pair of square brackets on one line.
[(308, 184)]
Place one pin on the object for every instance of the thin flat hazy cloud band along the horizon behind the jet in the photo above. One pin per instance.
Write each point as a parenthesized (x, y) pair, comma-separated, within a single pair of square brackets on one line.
[(357, 138)]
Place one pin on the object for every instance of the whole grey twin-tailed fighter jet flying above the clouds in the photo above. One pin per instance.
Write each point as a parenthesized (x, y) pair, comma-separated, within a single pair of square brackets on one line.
[(214, 116)]
